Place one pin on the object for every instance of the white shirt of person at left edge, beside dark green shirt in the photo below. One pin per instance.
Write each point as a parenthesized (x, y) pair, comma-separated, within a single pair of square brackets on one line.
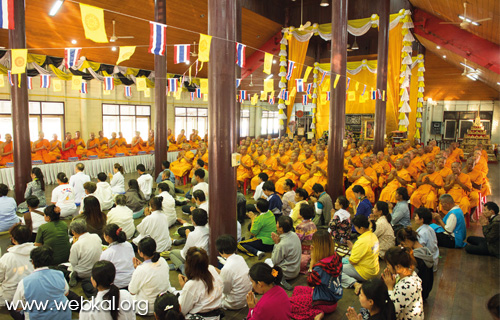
[(14, 266)]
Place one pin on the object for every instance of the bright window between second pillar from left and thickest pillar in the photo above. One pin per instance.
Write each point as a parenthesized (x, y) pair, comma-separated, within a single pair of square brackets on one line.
[(189, 119)]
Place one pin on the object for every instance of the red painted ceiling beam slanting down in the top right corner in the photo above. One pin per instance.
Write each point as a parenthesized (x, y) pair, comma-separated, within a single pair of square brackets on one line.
[(457, 40)]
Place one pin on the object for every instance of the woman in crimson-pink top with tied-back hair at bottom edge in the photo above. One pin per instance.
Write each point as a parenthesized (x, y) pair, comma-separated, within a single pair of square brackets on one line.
[(274, 303)]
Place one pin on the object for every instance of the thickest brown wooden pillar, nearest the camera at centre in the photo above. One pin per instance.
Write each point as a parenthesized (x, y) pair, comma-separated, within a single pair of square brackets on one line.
[(222, 20)]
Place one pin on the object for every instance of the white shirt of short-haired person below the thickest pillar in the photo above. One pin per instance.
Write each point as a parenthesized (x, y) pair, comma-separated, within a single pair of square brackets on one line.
[(237, 284)]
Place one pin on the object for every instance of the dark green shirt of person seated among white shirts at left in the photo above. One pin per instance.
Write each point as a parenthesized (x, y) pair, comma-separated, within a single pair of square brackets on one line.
[(55, 235)]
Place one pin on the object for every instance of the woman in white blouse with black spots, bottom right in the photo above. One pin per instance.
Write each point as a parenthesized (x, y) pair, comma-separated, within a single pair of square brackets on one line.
[(404, 285)]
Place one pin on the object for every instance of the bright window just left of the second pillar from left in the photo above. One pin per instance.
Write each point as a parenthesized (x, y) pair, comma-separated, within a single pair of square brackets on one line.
[(126, 119)]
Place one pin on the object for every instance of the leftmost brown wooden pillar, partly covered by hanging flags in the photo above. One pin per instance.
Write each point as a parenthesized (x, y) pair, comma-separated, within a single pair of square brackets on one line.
[(20, 110)]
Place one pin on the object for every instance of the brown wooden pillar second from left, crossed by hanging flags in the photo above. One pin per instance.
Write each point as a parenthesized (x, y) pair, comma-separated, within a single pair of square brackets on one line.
[(160, 96)]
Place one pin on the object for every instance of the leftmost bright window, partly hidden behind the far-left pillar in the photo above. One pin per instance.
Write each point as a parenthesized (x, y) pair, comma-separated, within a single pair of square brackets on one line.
[(44, 116)]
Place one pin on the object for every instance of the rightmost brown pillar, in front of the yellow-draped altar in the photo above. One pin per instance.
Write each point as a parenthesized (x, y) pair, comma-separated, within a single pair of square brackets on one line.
[(382, 58)]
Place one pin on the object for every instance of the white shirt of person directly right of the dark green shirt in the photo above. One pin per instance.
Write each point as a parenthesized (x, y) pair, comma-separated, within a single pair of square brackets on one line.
[(84, 253)]
